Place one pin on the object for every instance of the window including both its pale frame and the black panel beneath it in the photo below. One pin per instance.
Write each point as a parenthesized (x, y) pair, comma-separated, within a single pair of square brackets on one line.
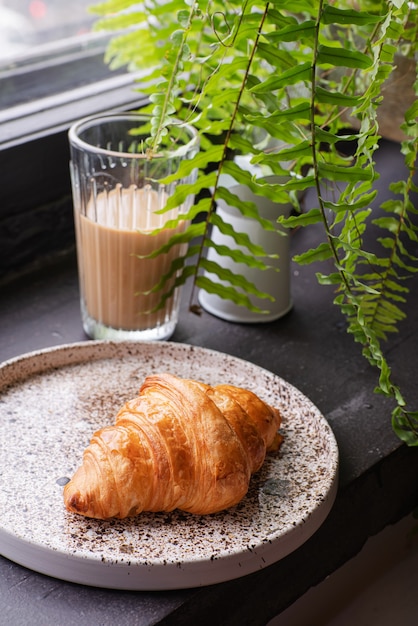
[(51, 74)]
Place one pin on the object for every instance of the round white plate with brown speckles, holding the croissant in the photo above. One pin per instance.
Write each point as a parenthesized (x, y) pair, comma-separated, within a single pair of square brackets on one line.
[(52, 401)]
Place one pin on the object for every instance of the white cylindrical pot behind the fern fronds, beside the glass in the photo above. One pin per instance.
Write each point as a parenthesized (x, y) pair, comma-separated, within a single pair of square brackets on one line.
[(275, 281)]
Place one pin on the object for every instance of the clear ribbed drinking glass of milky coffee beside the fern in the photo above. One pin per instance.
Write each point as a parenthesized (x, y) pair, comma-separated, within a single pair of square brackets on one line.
[(117, 197)]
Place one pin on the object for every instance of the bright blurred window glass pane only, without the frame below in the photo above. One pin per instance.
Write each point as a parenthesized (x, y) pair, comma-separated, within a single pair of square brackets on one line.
[(48, 48)]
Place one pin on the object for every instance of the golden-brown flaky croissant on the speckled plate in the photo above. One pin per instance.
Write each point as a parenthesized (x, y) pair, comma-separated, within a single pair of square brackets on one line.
[(181, 444)]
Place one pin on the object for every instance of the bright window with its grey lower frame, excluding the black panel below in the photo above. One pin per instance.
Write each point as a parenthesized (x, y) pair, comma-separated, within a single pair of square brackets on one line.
[(52, 69)]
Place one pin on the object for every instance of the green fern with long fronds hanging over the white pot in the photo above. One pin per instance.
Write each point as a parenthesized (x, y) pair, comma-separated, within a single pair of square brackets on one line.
[(274, 80)]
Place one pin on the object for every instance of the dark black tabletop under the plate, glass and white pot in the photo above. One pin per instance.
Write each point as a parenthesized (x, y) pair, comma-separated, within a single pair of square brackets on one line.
[(310, 349)]
